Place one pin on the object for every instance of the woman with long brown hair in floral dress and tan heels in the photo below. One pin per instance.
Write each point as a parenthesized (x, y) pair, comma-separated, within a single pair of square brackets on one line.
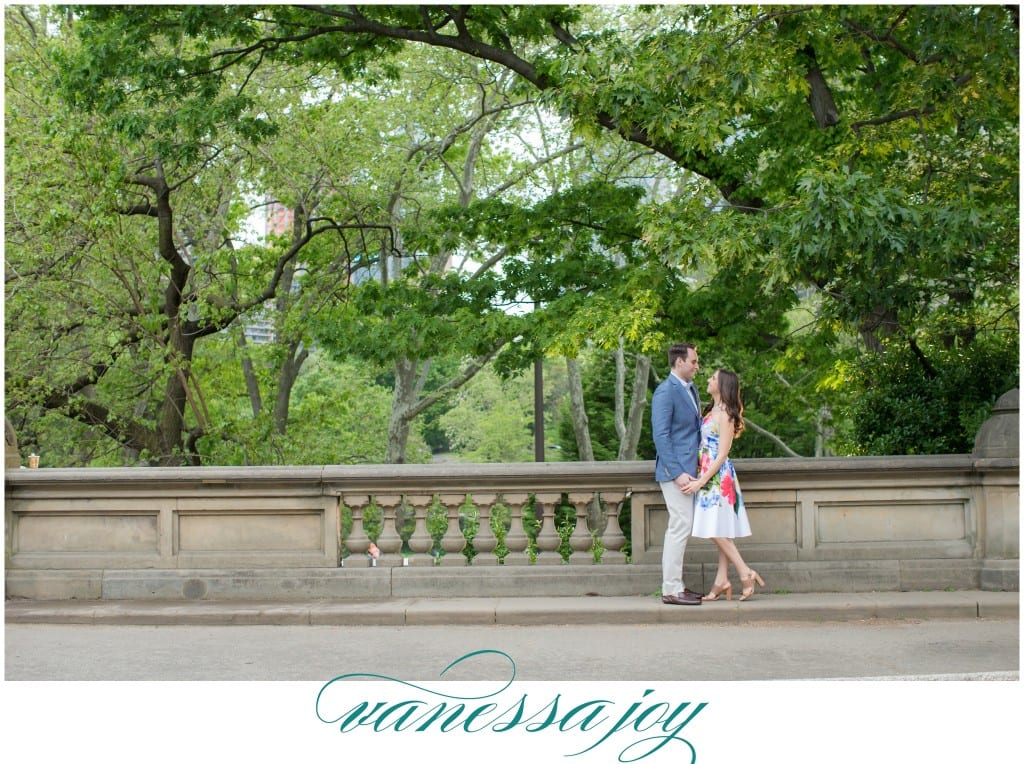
[(719, 514)]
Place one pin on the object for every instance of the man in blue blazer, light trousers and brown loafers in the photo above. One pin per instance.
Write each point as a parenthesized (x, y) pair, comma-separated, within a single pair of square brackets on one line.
[(675, 415)]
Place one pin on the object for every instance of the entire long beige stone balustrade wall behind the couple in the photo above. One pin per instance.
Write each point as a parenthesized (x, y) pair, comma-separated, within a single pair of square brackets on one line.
[(820, 525)]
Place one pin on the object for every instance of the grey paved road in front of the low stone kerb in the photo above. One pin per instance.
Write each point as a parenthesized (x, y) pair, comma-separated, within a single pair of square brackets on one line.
[(977, 649)]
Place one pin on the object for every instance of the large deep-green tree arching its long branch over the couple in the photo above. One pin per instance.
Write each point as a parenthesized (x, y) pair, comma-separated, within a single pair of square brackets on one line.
[(864, 157)]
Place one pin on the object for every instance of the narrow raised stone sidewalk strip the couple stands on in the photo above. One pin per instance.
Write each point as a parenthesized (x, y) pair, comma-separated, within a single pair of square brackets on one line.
[(523, 611)]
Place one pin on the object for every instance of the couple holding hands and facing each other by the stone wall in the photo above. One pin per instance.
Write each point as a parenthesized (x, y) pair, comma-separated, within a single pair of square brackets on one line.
[(697, 477)]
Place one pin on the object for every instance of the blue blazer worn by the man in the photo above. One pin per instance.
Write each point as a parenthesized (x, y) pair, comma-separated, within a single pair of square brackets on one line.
[(676, 423)]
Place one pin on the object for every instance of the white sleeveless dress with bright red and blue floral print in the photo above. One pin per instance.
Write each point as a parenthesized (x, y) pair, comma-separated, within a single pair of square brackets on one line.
[(718, 508)]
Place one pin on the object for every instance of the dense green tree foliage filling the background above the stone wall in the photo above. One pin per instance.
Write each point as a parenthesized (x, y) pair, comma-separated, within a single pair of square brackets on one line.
[(823, 198)]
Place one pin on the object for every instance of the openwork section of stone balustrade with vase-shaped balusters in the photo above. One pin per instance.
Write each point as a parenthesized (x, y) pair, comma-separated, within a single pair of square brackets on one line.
[(508, 515)]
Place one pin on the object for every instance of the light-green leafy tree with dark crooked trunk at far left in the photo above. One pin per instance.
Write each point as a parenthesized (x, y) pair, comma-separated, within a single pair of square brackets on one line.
[(126, 239)]
